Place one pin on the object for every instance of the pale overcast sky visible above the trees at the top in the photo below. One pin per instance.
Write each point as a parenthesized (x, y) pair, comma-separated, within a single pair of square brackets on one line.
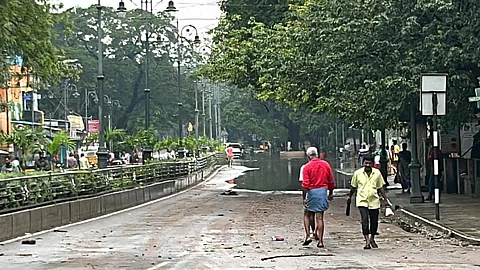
[(203, 14)]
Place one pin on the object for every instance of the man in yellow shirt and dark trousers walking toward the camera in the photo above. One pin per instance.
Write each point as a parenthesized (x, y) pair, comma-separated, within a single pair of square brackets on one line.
[(367, 182)]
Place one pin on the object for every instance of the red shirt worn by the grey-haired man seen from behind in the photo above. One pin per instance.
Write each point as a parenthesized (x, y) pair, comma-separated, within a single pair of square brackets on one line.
[(318, 174)]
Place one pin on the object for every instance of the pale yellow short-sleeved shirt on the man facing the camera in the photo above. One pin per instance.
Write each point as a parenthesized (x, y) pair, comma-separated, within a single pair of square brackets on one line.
[(367, 187)]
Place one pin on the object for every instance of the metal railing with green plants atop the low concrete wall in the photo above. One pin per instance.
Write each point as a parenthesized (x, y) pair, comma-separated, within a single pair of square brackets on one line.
[(31, 191)]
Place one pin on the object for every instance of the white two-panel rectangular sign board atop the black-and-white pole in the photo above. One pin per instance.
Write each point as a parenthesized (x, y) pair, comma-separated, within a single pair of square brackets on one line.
[(434, 85)]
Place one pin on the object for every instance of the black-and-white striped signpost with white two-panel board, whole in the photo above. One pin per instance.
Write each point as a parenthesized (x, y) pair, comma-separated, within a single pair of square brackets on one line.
[(433, 102)]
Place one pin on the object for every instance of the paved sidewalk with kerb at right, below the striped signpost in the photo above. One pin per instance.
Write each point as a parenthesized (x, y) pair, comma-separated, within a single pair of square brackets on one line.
[(459, 214)]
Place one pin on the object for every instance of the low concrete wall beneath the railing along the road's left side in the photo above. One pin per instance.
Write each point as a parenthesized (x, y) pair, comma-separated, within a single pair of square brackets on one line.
[(42, 218)]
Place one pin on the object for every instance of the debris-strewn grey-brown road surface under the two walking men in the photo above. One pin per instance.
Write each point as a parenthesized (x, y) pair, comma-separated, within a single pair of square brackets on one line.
[(201, 229)]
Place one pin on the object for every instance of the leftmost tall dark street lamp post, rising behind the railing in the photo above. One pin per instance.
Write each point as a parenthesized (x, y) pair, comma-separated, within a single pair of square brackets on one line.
[(102, 153)]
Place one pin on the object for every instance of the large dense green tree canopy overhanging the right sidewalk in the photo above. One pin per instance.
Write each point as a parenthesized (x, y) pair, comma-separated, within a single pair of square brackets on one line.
[(360, 60)]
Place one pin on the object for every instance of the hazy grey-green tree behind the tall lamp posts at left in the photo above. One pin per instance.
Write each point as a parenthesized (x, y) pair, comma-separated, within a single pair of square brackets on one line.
[(124, 64)]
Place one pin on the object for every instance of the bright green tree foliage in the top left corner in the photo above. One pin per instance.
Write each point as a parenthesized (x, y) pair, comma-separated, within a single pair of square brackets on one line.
[(26, 31)]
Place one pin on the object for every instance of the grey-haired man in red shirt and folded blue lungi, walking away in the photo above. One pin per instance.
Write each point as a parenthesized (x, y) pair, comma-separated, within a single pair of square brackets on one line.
[(317, 181)]
